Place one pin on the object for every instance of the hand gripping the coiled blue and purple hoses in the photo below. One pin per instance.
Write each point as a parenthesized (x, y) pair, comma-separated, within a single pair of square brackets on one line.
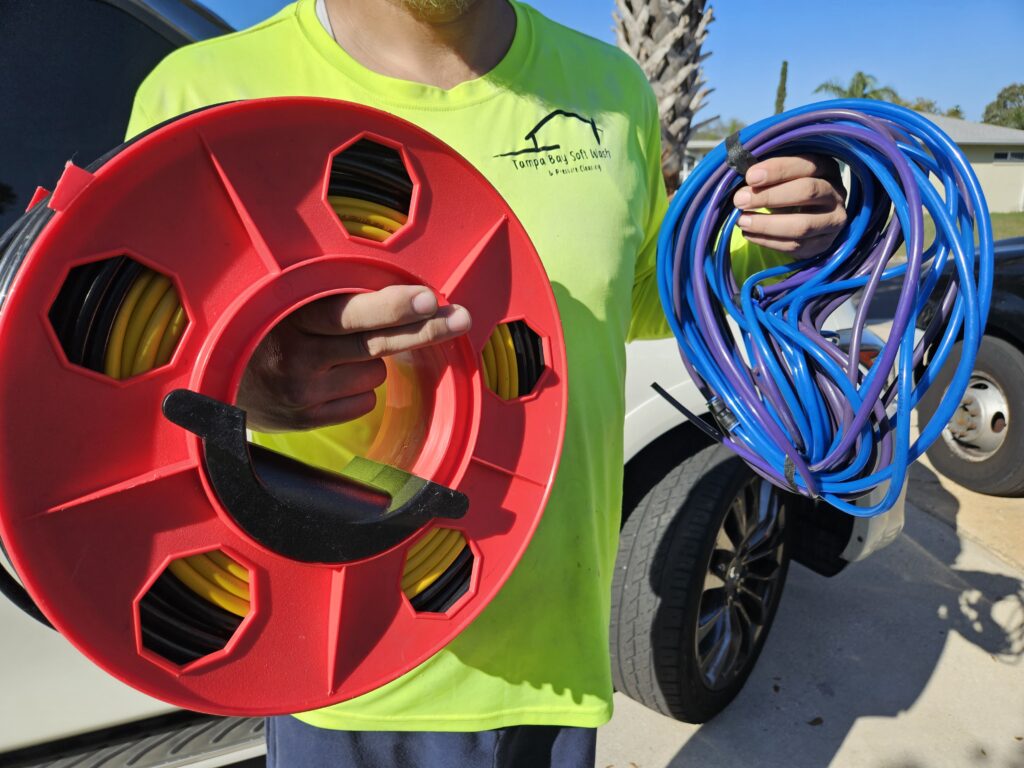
[(806, 199)]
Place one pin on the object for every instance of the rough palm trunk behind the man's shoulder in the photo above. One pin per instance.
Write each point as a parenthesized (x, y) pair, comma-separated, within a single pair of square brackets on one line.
[(666, 38)]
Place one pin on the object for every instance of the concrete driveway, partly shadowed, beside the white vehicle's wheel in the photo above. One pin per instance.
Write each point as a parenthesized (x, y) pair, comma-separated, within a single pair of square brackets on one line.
[(914, 659)]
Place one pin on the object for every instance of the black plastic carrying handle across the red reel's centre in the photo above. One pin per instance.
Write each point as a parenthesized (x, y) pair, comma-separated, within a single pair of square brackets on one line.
[(302, 513)]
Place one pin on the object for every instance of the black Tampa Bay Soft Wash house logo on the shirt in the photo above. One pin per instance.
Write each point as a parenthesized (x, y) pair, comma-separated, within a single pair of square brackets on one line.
[(562, 144)]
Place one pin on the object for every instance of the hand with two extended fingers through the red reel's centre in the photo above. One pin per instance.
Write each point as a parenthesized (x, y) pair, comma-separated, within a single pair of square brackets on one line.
[(321, 365)]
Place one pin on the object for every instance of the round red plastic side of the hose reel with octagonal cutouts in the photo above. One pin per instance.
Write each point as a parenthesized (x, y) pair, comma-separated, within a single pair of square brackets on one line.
[(500, 477)]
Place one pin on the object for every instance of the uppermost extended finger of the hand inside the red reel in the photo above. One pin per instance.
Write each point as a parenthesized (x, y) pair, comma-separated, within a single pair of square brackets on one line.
[(356, 313)]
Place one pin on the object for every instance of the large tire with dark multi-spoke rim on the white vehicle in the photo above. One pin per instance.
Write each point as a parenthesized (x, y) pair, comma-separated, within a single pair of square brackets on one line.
[(663, 586)]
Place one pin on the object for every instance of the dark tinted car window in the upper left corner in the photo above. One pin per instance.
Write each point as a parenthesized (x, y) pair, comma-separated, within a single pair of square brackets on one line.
[(69, 70)]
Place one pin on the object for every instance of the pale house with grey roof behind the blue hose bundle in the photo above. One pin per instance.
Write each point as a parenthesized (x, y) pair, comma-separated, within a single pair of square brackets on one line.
[(996, 153)]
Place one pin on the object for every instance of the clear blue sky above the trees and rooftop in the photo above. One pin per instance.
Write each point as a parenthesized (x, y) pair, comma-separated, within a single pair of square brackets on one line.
[(949, 51)]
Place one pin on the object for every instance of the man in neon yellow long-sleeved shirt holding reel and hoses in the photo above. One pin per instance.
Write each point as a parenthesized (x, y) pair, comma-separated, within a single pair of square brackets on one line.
[(529, 682)]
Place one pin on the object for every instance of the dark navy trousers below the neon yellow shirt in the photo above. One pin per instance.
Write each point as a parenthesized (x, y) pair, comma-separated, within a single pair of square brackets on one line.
[(292, 744)]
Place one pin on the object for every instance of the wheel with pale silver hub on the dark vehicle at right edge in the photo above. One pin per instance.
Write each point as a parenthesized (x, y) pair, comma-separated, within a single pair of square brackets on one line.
[(995, 396)]
